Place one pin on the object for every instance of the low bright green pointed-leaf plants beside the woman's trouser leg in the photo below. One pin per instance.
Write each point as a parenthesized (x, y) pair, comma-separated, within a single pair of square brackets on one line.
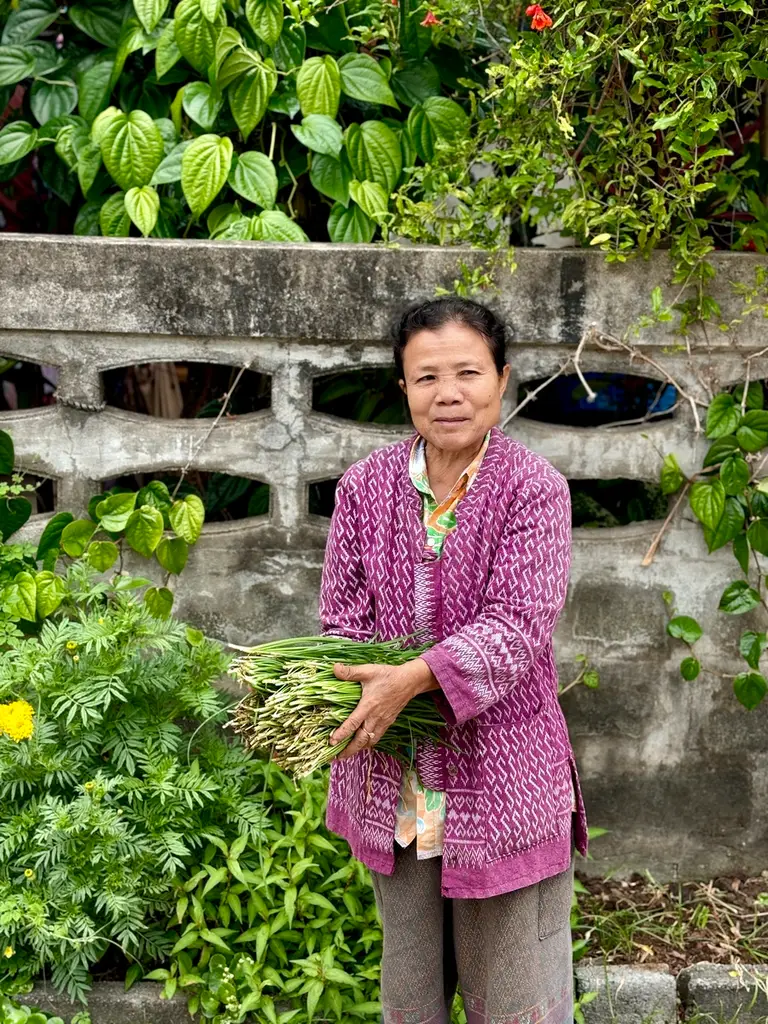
[(291, 920)]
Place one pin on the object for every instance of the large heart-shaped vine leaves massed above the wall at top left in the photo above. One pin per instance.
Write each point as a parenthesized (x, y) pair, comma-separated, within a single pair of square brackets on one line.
[(151, 114)]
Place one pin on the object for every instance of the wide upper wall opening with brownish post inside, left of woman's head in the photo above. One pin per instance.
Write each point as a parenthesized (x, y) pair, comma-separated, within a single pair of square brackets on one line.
[(185, 391)]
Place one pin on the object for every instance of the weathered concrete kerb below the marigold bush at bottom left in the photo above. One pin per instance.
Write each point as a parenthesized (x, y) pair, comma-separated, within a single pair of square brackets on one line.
[(110, 1004)]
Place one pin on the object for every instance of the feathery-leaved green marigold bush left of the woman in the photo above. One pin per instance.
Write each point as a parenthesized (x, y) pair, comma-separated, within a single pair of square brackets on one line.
[(123, 782)]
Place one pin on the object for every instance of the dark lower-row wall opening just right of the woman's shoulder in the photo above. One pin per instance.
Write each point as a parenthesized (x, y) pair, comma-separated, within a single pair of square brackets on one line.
[(616, 503)]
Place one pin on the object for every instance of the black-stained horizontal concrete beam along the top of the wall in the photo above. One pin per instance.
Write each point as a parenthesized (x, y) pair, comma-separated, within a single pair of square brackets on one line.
[(323, 291)]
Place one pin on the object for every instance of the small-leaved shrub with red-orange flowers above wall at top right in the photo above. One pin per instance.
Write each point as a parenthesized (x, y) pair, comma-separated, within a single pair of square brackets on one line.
[(634, 126)]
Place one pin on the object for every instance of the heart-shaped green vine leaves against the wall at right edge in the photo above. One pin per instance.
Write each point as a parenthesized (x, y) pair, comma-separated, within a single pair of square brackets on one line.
[(730, 498)]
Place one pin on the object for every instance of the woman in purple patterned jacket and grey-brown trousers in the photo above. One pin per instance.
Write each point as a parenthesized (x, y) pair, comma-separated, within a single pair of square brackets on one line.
[(463, 535)]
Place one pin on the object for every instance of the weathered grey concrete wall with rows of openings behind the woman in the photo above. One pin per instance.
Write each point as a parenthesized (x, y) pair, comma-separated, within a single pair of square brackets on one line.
[(677, 772)]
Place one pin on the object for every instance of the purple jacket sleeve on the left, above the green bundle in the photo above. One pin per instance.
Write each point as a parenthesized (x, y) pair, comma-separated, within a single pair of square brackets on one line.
[(347, 607)]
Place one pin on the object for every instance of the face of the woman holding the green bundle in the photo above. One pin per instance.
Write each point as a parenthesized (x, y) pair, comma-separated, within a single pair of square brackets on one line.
[(453, 389)]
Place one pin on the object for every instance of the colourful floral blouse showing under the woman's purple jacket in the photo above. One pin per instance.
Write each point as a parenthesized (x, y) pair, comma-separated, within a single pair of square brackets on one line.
[(421, 813)]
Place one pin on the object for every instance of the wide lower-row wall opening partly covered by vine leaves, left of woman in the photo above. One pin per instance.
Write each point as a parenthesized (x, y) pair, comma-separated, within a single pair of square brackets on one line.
[(226, 498)]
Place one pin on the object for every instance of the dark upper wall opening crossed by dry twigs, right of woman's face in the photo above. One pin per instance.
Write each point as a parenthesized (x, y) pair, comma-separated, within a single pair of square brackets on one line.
[(620, 397)]
